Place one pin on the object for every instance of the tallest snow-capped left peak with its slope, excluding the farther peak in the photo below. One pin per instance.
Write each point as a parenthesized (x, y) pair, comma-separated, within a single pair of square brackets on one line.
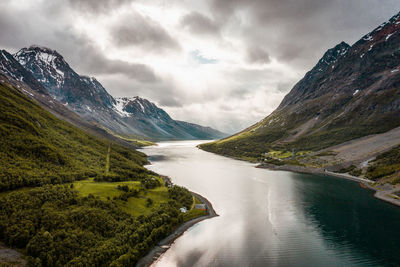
[(83, 95)]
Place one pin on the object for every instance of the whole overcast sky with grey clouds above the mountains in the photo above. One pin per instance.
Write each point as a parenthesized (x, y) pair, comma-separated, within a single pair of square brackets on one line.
[(220, 63)]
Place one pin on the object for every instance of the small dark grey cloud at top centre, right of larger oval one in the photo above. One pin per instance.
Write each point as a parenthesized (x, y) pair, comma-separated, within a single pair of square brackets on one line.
[(199, 24)]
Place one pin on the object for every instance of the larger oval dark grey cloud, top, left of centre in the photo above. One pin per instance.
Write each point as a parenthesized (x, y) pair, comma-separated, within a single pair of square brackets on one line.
[(137, 30)]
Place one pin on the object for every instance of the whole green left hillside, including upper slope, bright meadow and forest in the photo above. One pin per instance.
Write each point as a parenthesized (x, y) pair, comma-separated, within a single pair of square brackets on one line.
[(71, 199)]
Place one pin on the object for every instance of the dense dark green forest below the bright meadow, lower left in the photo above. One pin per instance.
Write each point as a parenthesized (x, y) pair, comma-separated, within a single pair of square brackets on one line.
[(57, 227)]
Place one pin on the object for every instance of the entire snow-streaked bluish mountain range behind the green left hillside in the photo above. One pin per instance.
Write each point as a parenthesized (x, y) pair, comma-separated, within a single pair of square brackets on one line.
[(90, 100)]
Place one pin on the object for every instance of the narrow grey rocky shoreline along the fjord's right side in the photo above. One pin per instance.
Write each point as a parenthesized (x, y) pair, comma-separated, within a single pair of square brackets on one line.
[(384, 193)]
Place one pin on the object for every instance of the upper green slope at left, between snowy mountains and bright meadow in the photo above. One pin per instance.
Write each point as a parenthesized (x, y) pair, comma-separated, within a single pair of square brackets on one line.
[(37, 148)]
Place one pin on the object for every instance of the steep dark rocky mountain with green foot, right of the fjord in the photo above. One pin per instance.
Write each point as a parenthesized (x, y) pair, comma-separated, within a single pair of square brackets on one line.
[(352, 92)]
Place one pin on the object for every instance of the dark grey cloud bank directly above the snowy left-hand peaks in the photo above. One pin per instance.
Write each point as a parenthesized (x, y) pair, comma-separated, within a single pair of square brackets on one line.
[(22, 28)]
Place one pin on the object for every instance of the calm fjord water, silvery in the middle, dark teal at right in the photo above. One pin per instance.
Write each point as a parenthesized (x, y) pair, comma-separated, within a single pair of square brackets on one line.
[(275, 218)]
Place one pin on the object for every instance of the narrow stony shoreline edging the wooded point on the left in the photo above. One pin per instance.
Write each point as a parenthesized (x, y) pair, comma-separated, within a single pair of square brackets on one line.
[(165, 244)]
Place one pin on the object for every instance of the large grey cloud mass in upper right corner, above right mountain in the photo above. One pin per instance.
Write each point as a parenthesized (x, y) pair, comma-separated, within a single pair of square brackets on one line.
[(299, 31)]
